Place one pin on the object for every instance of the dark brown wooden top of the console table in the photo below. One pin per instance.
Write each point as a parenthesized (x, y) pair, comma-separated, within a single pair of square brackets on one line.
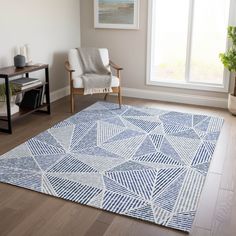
[(11, 71)]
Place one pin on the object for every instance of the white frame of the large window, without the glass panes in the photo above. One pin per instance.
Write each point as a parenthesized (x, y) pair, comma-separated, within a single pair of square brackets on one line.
[(186, 84)]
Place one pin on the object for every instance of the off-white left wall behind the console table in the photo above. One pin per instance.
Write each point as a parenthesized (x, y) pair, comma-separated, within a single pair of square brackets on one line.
[(51, 27)]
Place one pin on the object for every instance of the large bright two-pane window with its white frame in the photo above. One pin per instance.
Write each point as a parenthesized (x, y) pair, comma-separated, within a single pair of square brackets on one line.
[(185, 39)]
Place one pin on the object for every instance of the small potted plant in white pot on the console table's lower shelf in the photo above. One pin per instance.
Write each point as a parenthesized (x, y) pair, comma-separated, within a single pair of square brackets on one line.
[(3, 105)]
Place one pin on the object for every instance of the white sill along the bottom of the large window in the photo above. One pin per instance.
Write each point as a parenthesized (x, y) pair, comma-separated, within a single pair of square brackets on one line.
[(193, 86)]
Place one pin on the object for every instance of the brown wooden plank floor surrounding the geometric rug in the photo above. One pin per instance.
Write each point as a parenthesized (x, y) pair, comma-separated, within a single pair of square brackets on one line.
[(24, 212)]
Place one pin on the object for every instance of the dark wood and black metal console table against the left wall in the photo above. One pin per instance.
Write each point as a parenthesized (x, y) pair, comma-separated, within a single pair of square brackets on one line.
[(6, 73)]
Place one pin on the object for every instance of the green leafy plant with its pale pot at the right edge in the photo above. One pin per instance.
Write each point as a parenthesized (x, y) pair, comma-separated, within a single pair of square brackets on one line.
[(229, 60)]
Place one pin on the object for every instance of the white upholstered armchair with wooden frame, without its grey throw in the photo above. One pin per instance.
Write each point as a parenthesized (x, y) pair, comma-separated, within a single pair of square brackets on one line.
[(74, 68)]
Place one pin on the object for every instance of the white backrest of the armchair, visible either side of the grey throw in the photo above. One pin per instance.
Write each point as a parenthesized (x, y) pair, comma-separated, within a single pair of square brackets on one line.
[(75, 61)]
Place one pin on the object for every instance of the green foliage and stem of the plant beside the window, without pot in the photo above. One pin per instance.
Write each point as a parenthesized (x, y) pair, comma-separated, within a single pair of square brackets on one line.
[(229, 57)]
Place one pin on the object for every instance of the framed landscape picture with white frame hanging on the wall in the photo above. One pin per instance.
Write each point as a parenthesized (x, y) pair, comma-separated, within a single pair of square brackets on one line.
[(116, 14)]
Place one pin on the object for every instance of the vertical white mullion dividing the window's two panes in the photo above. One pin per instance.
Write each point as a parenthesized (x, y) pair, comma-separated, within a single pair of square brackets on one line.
[(189, 40)]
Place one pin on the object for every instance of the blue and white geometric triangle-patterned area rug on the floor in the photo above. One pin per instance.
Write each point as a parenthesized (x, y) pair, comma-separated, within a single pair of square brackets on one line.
[(145, 163)]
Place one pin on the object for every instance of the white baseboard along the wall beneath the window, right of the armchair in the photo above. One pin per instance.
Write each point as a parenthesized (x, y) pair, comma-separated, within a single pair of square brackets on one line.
[(175, 97)]
